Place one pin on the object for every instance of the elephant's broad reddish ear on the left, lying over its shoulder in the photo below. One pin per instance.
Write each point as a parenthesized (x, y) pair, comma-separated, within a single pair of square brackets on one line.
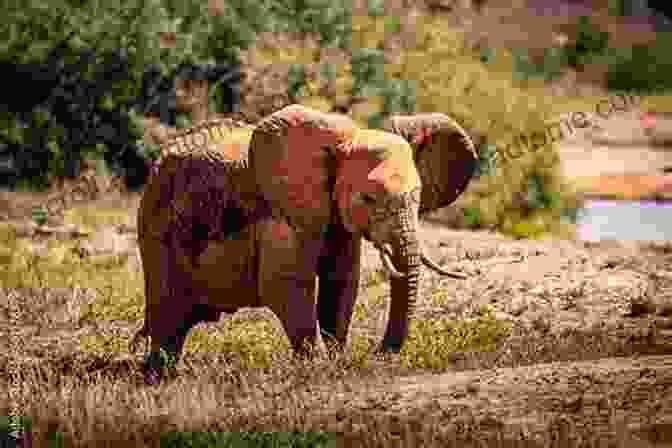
[(293, 156)]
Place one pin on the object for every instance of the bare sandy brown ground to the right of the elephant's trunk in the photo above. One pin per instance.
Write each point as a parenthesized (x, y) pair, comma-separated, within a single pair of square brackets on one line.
[(591, 349)]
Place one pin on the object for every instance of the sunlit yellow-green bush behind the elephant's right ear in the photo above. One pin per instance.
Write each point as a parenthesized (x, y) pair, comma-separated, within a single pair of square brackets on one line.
[(452, 79)]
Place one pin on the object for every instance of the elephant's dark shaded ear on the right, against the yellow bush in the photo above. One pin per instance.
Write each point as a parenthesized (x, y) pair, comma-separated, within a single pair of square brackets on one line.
[(444, 155)]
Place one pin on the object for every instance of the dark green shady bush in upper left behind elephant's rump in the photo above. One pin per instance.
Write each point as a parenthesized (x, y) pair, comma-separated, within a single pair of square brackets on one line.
[(89, 67)]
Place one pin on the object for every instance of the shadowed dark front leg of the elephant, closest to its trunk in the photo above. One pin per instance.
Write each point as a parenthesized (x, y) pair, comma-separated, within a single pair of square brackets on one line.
[(339, 271)]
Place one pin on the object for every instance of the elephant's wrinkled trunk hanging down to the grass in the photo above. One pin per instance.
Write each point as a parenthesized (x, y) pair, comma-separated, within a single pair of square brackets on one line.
[(407, 259)]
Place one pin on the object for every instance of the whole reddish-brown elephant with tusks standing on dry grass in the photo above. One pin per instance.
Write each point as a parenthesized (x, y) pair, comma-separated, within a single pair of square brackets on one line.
[(257, 226)]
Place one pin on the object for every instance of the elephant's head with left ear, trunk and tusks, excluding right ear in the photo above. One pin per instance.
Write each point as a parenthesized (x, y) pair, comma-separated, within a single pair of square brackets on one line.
[(318, 169)]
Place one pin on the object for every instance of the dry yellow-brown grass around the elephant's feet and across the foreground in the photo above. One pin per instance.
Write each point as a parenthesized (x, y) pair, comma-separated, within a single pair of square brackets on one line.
[(67, 366)]
